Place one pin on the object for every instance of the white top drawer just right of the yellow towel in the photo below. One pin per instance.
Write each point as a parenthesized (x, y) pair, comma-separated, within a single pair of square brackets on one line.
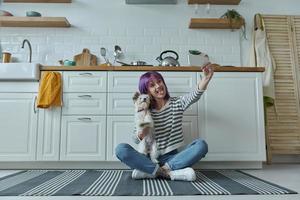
[(84, 81)]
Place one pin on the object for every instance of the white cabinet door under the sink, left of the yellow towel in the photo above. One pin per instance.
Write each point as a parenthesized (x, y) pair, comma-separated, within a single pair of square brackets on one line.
[(18, 127)]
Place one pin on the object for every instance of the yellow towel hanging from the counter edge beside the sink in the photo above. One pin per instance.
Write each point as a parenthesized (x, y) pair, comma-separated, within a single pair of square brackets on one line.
[(50, 91)]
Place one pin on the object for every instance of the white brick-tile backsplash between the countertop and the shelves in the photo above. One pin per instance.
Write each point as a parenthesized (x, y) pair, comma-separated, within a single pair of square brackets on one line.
[(145, 44)]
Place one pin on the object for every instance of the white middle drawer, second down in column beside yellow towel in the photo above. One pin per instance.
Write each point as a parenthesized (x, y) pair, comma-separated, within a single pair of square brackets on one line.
[(84, 104)]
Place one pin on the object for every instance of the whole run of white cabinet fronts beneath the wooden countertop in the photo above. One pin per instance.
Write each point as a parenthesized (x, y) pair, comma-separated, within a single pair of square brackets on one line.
[(98, 114)]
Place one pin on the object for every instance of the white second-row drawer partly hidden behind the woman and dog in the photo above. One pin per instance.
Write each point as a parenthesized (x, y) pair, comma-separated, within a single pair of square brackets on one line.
[(122, 104)]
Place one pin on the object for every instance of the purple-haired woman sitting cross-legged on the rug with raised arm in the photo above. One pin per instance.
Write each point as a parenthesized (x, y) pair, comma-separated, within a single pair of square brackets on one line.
[(167, 113)]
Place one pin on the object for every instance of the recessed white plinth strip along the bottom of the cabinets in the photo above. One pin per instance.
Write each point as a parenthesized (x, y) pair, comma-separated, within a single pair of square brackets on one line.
[(118, 165)]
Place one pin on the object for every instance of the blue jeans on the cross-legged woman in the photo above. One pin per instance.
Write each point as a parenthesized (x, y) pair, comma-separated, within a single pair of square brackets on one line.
[(174, 159)]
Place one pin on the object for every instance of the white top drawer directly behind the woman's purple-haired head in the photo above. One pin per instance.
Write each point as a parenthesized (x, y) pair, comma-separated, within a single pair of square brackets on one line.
[(127, 82)]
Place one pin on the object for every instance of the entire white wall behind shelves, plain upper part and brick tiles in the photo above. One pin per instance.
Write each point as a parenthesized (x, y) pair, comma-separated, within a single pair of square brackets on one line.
[(142, 31)]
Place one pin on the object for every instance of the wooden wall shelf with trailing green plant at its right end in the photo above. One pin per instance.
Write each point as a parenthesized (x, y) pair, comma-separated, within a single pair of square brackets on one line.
[(214, 23)]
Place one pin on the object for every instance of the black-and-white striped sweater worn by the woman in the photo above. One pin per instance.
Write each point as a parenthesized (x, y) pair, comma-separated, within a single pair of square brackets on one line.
[(168, 122)]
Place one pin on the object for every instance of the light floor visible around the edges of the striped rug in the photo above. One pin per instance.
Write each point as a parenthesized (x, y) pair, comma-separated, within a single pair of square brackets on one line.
[(286, 175)]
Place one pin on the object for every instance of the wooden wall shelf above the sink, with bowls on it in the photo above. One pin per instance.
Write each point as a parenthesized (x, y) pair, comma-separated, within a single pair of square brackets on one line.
[(34, 22)]
